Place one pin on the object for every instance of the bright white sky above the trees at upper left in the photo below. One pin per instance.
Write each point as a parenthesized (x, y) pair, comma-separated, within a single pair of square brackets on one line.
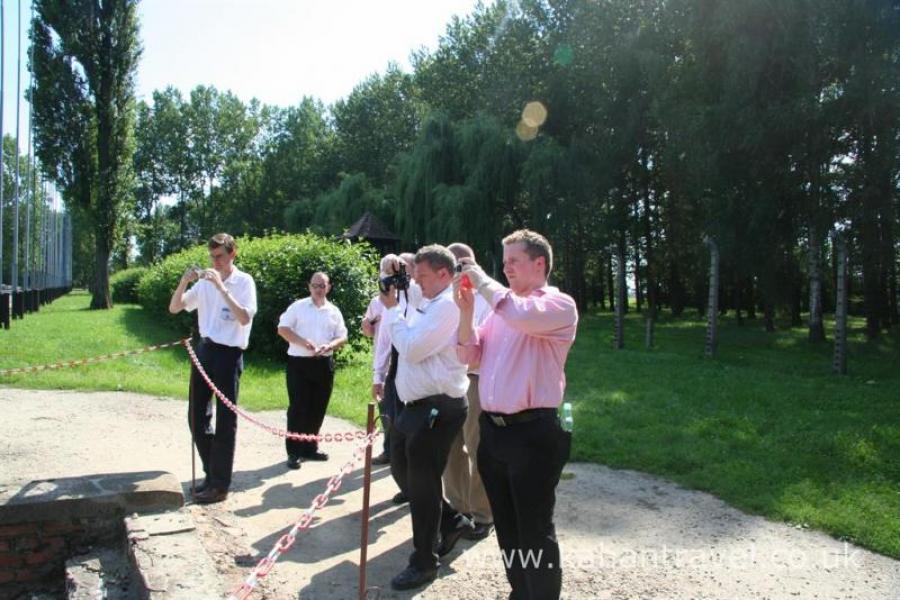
[(274, 50)]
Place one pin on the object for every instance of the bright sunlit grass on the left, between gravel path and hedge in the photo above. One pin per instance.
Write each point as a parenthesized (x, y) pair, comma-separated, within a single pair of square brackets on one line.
[(67, 330)]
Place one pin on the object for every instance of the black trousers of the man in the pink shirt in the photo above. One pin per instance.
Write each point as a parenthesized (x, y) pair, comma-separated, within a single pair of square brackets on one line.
[(520, 465)]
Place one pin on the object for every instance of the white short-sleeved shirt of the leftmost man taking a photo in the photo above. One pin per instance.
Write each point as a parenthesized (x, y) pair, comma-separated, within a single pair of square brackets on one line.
[(214, 316)]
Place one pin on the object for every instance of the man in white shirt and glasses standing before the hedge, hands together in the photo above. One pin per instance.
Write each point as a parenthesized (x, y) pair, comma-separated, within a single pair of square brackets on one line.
[(314, 328)]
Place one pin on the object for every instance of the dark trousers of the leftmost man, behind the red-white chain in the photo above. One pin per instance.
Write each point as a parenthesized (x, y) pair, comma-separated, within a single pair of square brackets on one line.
[(224, 365)]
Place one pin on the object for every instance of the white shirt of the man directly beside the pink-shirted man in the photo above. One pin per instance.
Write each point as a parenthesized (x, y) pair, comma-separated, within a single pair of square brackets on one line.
[(426, 343)]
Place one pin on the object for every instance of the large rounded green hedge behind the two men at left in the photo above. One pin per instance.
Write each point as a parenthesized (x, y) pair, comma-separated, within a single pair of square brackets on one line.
[(281, 265)]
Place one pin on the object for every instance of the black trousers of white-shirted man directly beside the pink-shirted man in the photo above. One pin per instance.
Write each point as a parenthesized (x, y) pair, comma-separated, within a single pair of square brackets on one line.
[(419, 449)]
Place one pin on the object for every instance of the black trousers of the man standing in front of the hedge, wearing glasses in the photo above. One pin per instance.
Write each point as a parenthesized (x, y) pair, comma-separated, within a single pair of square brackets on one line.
[(309, 382)]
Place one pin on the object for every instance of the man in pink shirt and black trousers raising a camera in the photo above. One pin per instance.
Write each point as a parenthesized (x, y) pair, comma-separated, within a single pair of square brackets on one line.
[(521, 348)]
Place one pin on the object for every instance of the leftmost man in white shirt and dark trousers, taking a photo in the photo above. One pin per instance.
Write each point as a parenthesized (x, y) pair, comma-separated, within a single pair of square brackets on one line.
[(225, 300)]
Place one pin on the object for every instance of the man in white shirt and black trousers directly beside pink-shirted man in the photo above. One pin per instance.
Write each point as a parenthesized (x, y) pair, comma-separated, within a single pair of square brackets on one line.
[(431, 384)]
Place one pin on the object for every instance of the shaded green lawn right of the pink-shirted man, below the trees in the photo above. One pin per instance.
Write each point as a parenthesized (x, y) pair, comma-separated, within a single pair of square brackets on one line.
[(765, 426)]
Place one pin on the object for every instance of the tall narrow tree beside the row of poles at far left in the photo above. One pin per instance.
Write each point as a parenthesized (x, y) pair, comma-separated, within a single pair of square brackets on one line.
[(84, 64)]
